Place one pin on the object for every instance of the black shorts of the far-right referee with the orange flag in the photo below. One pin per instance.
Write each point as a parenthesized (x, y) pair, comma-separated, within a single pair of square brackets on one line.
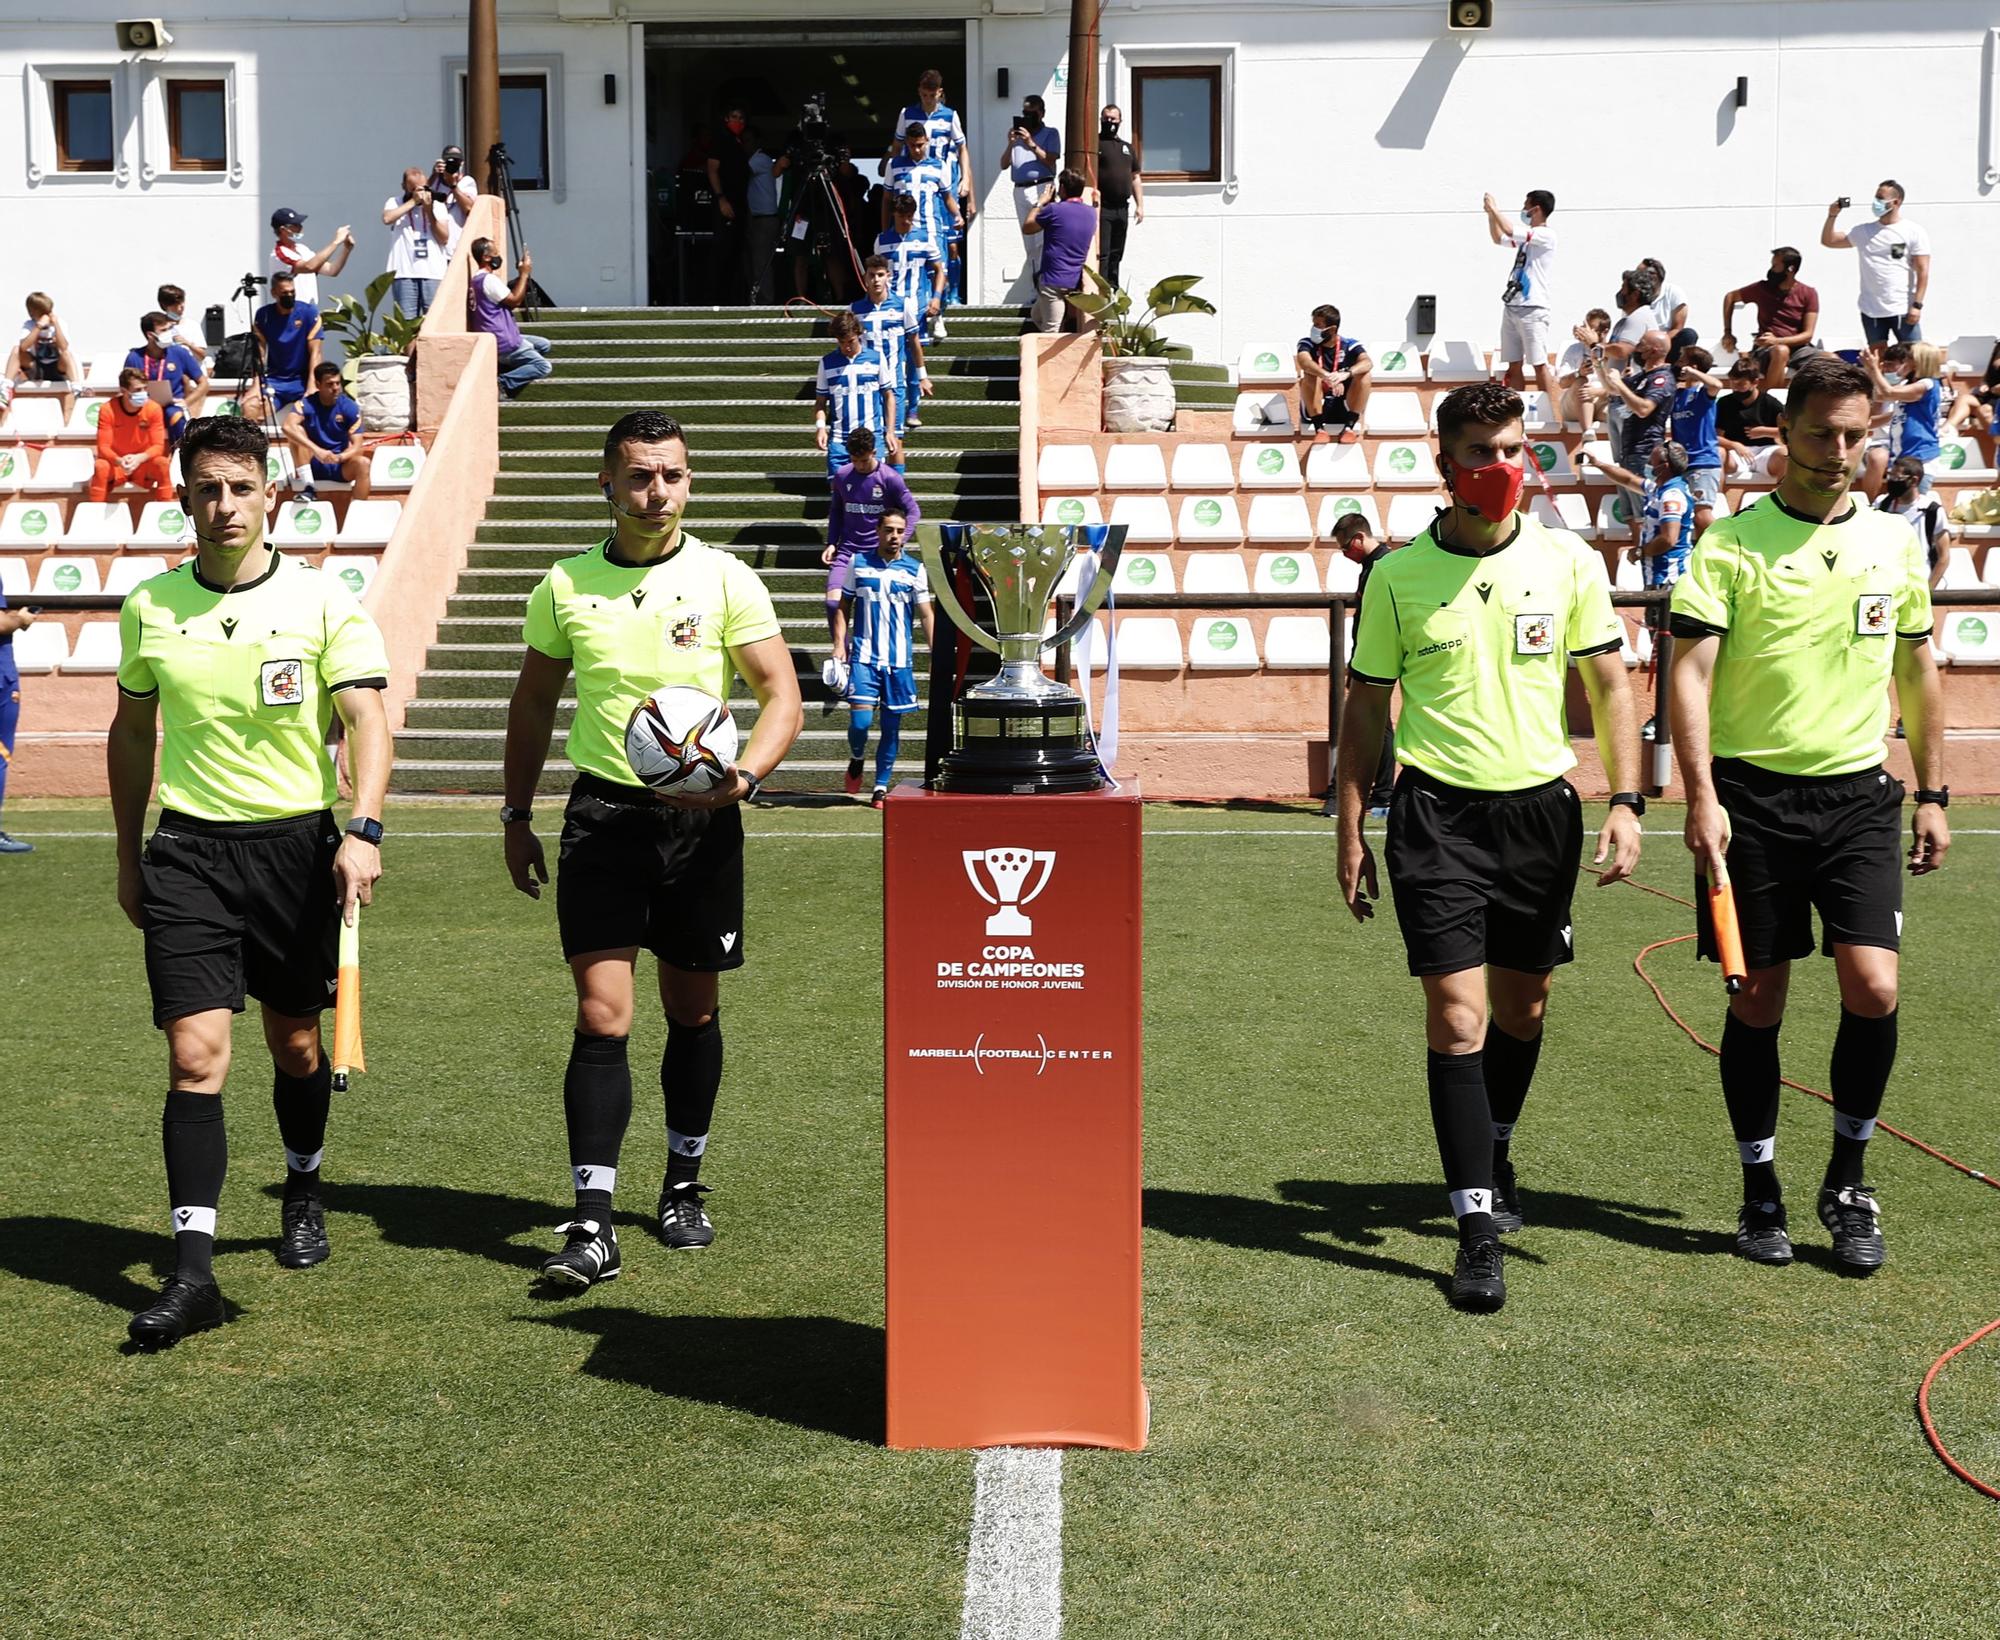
[(1797, 845)]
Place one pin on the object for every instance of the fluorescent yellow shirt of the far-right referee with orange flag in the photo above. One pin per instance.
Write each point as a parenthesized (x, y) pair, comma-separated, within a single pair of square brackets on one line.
[(1809, 617)]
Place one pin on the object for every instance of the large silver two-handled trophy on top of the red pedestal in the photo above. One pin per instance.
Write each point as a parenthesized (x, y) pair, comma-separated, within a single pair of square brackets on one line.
[(1019, 731)]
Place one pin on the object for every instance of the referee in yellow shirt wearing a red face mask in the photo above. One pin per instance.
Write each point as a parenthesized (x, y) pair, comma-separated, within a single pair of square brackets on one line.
[(1477, 619)]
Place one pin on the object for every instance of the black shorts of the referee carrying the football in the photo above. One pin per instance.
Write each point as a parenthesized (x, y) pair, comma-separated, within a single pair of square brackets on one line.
[(635, 873)]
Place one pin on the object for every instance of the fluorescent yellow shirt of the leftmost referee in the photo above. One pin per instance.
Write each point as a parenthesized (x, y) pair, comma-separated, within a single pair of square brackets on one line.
[(247, 683)]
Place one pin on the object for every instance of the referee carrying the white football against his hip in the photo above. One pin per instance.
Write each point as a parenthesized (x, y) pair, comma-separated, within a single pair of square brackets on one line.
[(643, 609)]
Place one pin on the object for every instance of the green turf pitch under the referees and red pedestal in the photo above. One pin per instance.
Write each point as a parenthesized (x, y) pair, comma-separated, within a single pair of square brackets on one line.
[(1651, 1439)]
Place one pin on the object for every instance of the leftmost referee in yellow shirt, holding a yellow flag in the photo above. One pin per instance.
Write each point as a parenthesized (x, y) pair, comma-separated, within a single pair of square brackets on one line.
[(237, 661)]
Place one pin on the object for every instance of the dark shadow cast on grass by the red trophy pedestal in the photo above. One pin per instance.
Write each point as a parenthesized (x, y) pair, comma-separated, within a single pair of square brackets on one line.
[(817, 1373)]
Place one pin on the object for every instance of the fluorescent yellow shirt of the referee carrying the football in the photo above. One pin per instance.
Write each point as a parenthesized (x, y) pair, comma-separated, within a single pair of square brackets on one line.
[(631, 629)]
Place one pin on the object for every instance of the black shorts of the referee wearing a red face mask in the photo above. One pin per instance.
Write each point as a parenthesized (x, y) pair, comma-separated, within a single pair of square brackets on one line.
[(1483, 877)]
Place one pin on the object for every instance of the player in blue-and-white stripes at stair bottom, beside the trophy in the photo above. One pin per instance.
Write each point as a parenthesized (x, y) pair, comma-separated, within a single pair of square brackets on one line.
[(875, 631)]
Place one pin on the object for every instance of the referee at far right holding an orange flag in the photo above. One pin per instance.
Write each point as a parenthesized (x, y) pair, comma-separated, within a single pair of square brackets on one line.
[(1793, 617)]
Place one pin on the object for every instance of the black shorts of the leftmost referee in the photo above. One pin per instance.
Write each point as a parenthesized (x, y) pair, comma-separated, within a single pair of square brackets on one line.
[(241, 907)]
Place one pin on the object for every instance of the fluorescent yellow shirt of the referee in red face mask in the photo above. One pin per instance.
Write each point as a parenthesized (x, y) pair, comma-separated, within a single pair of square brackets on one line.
[(1481, 647)]
